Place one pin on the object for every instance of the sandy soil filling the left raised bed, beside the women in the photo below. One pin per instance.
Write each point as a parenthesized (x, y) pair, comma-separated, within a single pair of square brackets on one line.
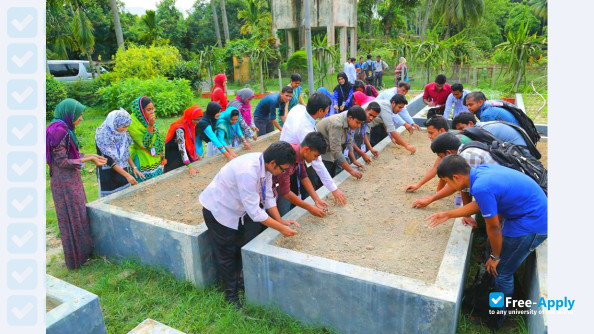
[(176, 198)]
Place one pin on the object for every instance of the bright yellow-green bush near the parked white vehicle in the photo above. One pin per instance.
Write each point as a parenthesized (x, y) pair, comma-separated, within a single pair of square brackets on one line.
[(145, 63)]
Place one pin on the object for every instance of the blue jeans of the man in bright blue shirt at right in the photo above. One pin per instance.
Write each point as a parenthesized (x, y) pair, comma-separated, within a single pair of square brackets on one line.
[(513, 252)]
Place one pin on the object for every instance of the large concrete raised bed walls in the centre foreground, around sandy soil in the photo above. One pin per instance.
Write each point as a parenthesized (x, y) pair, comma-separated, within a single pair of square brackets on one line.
[(354, 299)]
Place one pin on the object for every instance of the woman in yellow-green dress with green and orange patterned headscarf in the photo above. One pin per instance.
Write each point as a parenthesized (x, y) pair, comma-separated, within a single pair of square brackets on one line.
[(147, 151)]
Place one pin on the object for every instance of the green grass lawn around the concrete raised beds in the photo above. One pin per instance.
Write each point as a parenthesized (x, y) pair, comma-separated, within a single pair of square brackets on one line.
[(129, 292)]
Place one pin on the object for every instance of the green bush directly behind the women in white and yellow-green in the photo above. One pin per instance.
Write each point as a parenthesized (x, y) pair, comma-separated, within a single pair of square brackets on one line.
[(170, 97)]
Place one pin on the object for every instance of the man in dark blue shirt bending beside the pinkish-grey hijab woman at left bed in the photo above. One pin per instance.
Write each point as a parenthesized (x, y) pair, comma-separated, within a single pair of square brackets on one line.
[(265, 113)]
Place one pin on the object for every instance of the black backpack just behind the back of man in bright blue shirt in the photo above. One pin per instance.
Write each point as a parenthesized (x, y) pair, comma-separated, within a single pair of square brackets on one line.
[(513, 156)]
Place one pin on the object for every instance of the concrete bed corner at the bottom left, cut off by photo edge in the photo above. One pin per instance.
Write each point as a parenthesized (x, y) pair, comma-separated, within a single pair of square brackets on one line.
[(76, 309)]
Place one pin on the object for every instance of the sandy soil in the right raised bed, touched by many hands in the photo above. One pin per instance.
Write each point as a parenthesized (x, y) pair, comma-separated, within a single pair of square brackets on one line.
[(378, 228)]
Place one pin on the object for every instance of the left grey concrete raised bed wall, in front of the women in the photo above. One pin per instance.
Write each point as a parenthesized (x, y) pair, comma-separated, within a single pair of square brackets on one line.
[(182, 249)]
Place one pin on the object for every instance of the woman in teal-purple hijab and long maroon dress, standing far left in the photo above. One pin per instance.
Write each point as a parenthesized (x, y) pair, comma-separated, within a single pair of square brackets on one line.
[(65, 162)]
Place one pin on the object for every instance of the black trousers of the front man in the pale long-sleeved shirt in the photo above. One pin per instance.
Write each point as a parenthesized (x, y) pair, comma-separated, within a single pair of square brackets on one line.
[(226, 245)]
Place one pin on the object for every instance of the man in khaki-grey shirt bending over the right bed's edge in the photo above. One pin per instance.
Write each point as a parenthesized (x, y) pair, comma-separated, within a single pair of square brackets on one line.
[(338, 133)]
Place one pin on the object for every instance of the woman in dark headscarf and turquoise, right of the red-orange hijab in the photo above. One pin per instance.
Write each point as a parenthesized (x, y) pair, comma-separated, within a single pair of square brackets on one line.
[(205, 132)]
